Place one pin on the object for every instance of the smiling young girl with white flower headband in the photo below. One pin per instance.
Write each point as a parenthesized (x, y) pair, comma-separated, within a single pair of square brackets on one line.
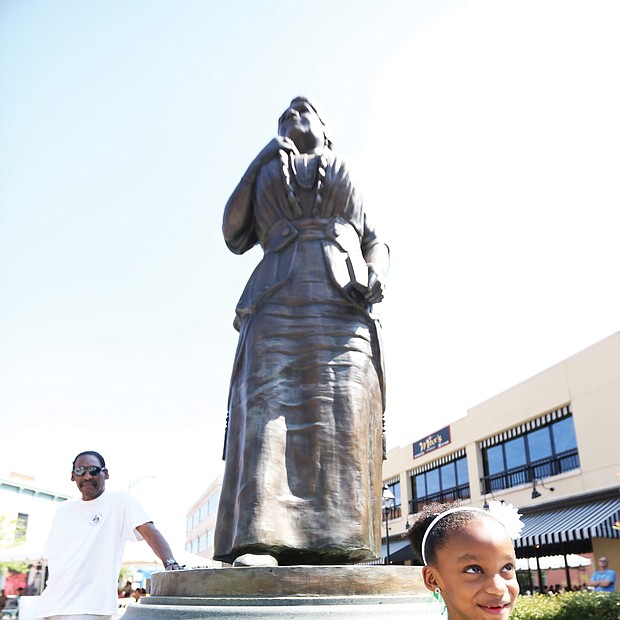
[(469, 558)]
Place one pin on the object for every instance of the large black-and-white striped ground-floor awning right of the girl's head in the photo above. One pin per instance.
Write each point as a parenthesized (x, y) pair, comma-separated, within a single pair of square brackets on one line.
[(571, 523)]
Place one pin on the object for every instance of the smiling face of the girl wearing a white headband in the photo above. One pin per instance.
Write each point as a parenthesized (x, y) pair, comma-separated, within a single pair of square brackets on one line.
[(475, 570)]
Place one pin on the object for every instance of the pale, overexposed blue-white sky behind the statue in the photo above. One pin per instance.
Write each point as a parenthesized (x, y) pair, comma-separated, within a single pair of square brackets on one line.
[(485, 135)]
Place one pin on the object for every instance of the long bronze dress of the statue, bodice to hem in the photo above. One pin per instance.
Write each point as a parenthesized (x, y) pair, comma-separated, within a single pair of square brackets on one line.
[(304, 438)]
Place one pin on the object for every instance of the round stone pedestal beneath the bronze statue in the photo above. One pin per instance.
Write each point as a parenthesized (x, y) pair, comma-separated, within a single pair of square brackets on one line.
[(352, 592)]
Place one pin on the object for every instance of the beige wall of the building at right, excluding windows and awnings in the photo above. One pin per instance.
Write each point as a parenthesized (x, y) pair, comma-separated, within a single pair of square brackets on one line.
[(589, 382)]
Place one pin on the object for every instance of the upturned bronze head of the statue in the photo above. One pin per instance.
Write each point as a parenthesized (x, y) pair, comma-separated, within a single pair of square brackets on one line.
[(302, 124)]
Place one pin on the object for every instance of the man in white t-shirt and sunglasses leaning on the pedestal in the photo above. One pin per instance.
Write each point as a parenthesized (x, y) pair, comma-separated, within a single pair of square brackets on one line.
[(85, 546)]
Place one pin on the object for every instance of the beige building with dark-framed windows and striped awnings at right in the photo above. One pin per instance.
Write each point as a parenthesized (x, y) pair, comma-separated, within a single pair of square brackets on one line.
[(548, 445)]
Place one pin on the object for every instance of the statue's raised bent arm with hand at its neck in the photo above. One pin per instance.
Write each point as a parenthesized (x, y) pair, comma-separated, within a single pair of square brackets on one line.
[(238, 224)]
